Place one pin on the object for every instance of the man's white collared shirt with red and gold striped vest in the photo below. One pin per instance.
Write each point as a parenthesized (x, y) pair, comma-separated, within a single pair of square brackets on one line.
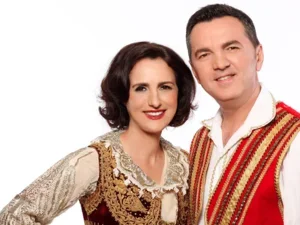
[(248, 181)]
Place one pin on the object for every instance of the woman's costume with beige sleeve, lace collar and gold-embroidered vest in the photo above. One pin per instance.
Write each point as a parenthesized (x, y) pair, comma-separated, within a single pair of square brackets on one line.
[(110, 187)]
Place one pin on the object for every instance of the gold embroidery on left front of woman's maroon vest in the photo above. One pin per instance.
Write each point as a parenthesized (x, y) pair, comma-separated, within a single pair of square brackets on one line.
[(123, 201)]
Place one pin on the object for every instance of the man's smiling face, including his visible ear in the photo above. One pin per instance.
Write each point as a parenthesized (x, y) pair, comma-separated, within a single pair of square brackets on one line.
[(224, 60)]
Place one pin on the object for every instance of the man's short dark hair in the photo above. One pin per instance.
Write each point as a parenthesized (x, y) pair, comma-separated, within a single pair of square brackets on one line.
[(210, 12)]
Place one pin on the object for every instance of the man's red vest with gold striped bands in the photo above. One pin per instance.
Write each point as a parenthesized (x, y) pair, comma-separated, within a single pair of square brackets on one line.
[(248, 189)]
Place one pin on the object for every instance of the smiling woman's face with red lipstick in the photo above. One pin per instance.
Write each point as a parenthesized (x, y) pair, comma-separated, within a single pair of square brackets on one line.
[(153, 95)]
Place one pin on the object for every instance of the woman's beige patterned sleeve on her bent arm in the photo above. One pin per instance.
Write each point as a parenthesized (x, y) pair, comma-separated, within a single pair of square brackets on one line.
[(56, 190)]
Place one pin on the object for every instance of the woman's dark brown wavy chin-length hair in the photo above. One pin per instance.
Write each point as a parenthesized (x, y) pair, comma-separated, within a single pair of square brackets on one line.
[(115, 85)]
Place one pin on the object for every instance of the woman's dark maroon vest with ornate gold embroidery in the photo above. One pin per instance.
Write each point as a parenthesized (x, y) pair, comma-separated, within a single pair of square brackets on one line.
[(115, 203)]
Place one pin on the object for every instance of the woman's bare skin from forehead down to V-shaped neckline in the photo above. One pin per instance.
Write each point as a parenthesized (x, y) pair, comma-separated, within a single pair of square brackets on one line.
[(153, 88)]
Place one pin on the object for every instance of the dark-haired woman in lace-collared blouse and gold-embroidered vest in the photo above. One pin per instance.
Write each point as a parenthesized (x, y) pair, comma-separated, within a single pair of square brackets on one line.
[(130, 175)]
